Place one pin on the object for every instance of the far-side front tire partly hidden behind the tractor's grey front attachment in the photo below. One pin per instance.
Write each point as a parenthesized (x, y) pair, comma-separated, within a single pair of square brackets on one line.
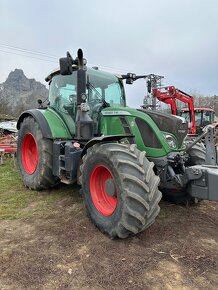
[(197, 156)]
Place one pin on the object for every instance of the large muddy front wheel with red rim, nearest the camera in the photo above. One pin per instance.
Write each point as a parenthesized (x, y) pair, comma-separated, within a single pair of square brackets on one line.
[(120, 189)]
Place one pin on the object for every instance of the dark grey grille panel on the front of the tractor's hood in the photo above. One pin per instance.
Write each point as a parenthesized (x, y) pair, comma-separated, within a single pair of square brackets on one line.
[(169, 123)]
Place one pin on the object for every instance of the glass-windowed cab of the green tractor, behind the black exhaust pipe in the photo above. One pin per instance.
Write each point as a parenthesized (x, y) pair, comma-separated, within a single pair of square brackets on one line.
[(102, 90)]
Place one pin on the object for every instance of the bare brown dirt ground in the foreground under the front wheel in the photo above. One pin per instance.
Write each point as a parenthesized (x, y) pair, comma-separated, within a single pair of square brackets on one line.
[(62, 249)]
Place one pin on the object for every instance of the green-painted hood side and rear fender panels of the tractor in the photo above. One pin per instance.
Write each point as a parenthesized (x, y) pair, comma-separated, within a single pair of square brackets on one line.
[(110, 124)]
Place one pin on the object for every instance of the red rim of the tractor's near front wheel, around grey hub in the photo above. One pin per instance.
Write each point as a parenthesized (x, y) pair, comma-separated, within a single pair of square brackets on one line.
[(104, 203)]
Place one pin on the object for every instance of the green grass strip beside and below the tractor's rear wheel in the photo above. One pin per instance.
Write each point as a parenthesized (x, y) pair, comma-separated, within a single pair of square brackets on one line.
[(18, 202)]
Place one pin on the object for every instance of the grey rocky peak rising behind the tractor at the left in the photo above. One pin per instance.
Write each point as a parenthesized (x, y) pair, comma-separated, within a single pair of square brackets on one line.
[(18, 93)]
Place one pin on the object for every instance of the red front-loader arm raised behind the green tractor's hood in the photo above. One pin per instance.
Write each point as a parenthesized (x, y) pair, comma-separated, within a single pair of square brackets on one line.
[(169, 95)]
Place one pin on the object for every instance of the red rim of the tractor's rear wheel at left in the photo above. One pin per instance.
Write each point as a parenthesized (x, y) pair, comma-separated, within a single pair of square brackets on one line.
[(29, 153)]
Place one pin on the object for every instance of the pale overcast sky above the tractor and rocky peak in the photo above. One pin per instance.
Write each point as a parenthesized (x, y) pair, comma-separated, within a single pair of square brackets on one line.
[(174, 38)]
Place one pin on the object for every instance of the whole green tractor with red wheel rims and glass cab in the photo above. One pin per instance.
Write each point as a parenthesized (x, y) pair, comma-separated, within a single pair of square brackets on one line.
[(122, 157)]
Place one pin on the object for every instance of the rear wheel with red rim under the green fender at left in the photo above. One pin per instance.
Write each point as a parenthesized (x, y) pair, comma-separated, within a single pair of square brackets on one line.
[(34, 155)]
